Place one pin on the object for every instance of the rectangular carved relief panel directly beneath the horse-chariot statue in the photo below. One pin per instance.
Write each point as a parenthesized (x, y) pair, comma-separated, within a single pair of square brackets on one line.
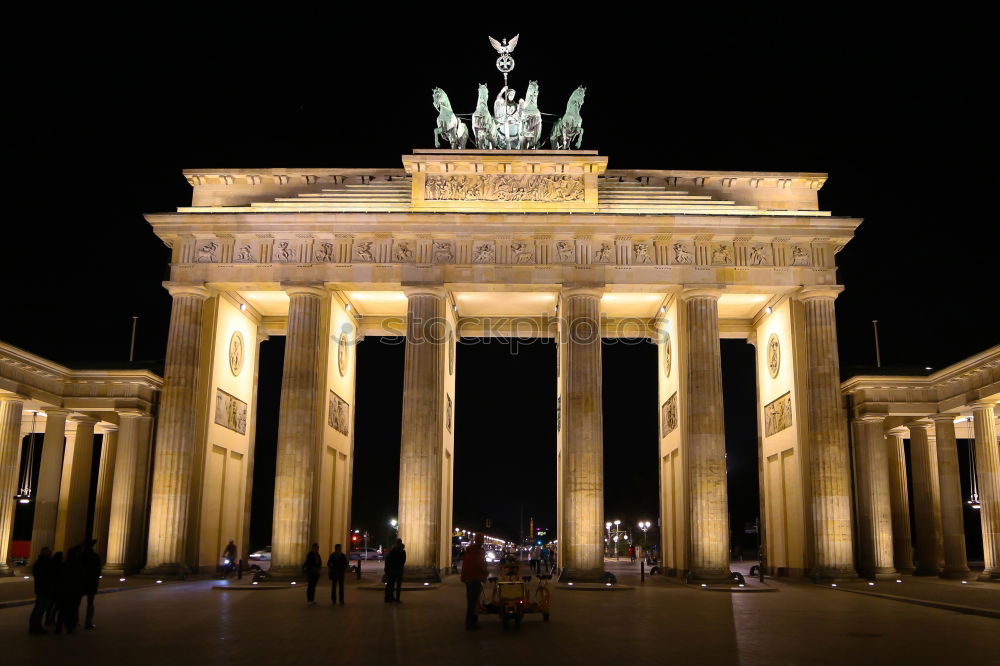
[(504, 187)]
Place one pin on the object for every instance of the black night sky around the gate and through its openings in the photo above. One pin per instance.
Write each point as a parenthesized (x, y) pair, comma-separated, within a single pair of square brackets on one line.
[(109, 105)]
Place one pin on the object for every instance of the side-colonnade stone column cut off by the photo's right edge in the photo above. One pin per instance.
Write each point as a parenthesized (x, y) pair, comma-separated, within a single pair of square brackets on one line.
[(988, 476)]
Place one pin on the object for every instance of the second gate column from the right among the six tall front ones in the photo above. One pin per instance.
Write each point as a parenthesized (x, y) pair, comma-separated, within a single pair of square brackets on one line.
[(705, 433)]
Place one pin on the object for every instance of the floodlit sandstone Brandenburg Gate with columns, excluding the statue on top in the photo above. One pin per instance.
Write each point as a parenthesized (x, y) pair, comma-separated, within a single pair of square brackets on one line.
[(499, 242)]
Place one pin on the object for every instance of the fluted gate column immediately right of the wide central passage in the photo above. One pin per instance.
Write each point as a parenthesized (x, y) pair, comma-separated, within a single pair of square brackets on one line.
[(582, 543)]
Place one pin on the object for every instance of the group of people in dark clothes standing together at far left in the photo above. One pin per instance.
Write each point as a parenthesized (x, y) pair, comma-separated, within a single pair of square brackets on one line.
[(61, 582)]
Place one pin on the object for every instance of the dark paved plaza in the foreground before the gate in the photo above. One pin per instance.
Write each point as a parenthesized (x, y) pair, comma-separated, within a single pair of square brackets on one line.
[(656, 622)]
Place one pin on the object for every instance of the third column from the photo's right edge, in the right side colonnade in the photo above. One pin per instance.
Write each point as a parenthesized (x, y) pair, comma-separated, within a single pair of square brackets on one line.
[(926, 505)]
